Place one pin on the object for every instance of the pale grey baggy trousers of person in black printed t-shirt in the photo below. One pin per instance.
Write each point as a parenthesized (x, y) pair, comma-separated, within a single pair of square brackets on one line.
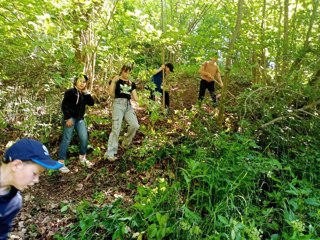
[(121, 109)]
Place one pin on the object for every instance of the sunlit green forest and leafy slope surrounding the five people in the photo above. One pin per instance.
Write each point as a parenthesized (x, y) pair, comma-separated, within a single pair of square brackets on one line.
[(246, 168)]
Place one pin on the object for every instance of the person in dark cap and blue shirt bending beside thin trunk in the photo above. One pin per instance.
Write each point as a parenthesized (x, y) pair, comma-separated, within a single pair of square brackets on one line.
[(157, 80)]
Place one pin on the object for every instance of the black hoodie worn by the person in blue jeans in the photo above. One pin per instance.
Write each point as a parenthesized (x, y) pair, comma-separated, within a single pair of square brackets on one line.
[(74, 104)]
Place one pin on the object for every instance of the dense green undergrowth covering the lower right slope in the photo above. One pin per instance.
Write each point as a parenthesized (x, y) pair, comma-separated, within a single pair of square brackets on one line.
[(215, 186)]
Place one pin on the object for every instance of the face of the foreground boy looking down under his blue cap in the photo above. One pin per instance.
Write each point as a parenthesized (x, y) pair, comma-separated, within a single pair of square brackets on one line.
[(26, 174)]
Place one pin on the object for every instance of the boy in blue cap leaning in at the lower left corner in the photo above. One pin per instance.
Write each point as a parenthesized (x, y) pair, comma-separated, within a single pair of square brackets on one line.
[(20, 168)]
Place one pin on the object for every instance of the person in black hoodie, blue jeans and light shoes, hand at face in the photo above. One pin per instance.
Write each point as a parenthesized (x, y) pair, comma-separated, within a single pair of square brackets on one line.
[(73, 108)]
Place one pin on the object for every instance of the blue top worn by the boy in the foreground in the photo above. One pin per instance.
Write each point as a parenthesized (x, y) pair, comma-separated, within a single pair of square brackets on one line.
[(10, 205)]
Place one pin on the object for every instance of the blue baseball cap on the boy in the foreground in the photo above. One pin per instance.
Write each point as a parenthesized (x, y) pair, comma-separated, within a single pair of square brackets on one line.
[(32, 150)]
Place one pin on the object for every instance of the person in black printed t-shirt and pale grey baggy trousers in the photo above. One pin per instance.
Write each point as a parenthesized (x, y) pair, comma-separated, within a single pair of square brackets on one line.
[(123, 91)]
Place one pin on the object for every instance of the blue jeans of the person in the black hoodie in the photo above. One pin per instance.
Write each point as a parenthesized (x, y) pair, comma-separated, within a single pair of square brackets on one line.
[(81, 128)]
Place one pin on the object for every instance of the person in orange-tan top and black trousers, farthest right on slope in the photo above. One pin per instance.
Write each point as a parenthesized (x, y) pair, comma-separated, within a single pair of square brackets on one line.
[(209, 73)]
